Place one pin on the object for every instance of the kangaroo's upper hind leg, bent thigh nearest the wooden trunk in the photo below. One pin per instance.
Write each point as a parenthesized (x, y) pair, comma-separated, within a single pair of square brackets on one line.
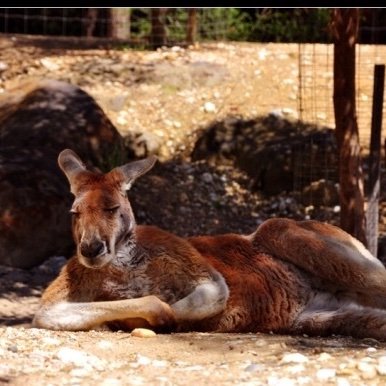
[(327, 253)]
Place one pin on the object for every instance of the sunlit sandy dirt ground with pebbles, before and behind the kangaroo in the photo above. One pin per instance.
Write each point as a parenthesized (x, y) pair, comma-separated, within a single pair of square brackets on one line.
[(166, 98)]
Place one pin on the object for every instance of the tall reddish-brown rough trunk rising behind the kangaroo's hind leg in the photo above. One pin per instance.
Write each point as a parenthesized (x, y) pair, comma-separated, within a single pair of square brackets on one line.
[(345, 30)]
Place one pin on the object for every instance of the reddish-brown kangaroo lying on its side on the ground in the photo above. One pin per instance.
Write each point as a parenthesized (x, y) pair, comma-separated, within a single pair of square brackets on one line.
[(287, 277)]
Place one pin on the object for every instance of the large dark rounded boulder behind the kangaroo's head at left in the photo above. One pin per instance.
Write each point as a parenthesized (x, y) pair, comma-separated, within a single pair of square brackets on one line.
[(37, 122)]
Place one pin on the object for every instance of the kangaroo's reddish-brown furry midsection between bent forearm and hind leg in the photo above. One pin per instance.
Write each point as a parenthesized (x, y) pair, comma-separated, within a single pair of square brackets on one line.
[(265, 295)]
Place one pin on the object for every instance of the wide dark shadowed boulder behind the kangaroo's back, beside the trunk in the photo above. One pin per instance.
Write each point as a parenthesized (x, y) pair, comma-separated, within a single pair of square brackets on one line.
[(279, 154)]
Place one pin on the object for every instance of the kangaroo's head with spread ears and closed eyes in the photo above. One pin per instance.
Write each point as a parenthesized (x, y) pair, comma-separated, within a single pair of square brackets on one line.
[(103, 222)]
